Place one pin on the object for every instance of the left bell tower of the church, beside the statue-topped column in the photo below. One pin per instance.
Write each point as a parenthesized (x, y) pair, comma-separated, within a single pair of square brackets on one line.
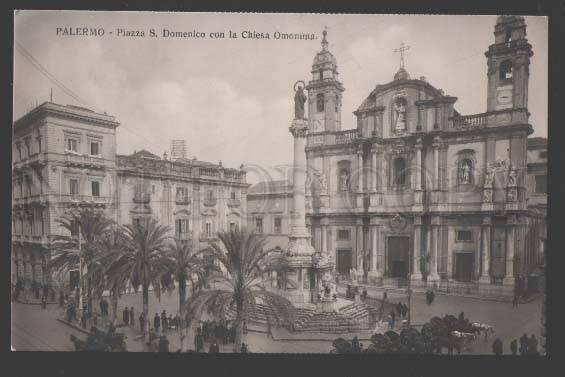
[(324, 92)]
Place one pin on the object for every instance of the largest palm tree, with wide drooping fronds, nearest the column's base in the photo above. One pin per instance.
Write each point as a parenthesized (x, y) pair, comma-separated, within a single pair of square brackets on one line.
[(239, 284)]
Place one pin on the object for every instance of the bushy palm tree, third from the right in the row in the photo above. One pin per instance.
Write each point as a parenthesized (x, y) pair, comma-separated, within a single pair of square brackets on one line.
[(143, 260)]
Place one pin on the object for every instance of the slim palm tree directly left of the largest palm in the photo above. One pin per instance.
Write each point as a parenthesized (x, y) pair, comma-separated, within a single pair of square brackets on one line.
[(183, 266)]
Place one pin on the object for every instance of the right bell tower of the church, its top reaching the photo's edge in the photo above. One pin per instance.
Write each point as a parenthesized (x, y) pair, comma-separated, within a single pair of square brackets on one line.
[(508, 62)]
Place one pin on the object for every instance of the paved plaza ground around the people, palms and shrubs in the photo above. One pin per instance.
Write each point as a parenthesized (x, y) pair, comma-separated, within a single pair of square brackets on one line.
[(35, 329)]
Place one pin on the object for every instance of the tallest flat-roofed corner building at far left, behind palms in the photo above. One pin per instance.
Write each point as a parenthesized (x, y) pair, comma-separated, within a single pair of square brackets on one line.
[(63, 157)]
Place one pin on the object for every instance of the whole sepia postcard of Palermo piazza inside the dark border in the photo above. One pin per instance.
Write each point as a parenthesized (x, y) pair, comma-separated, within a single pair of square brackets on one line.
[(294, 183)]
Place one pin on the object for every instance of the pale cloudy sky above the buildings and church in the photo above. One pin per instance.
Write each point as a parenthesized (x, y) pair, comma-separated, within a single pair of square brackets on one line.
[(232, 99)]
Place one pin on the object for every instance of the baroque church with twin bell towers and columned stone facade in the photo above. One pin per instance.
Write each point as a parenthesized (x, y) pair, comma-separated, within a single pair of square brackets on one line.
[(418, 192)]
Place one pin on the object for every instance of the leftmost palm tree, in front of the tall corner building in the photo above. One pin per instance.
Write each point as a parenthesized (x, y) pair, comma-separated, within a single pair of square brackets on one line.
[(78, 246)]
